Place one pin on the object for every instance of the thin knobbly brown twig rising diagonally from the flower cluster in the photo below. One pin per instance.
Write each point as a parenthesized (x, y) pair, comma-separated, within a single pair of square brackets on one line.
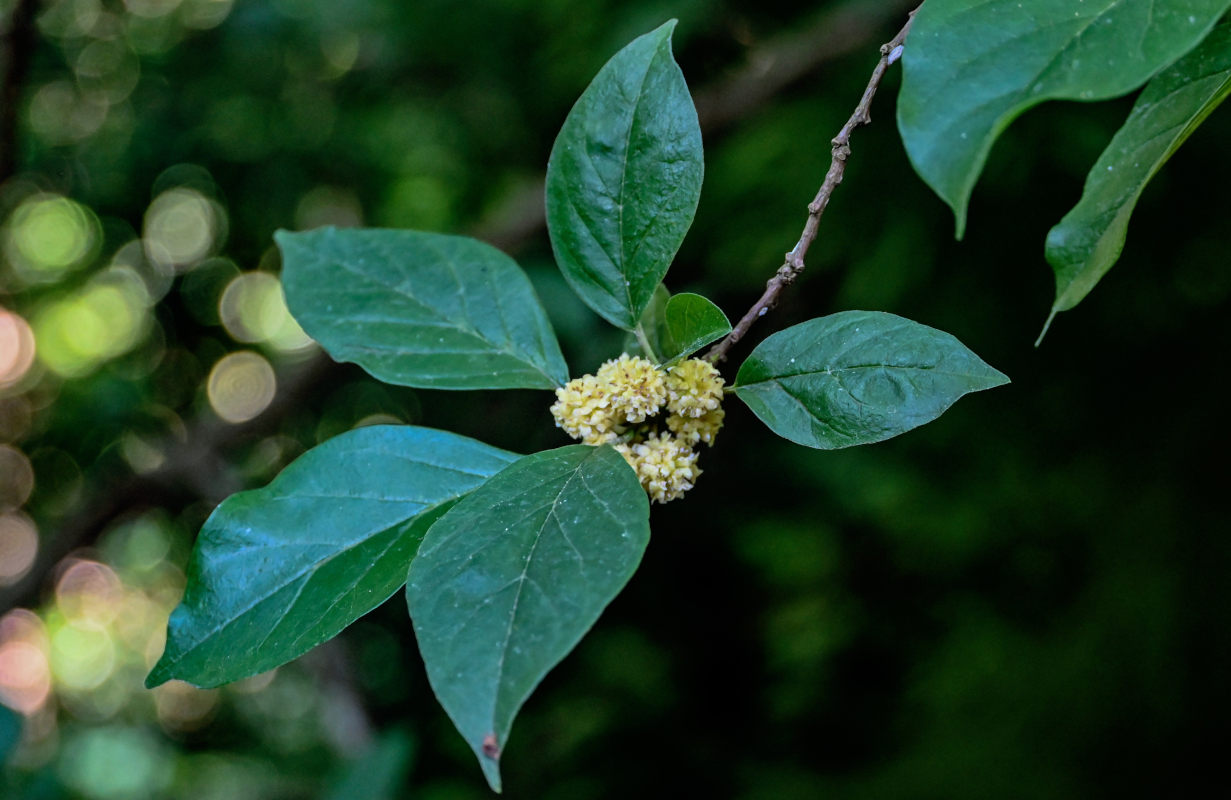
[(793, 265)]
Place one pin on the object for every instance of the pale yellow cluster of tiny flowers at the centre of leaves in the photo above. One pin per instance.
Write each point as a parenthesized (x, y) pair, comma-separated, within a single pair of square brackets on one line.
[(617, 407)]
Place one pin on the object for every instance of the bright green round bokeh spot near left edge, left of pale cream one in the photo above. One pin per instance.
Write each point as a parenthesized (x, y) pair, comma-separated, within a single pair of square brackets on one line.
[(50, 236)]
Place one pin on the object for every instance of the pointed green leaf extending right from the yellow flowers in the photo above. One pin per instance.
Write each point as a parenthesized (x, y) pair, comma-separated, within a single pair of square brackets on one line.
[(857, 377)]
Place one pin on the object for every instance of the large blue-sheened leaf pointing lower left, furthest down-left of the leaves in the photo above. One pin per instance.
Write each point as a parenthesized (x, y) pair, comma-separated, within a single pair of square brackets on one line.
[(279, 570)]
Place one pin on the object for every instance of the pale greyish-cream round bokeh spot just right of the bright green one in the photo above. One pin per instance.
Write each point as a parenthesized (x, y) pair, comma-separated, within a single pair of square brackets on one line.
[(183, 227)]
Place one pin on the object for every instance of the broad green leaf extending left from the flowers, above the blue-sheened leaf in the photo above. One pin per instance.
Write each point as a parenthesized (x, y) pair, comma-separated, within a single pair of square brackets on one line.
[(422, 310)]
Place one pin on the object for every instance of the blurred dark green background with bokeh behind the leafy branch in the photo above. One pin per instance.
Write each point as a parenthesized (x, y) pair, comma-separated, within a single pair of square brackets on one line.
[(1026, 599)]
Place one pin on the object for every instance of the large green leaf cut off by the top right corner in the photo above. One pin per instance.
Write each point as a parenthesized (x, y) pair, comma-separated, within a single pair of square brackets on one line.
[(971, 67)]
